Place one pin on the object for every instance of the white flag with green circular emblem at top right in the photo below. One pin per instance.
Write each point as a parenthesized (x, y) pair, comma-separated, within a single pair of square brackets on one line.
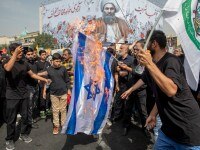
[(184, 18)]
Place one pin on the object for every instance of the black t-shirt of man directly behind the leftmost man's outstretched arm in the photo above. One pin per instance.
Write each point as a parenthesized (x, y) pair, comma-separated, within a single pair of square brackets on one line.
[(30, 81)]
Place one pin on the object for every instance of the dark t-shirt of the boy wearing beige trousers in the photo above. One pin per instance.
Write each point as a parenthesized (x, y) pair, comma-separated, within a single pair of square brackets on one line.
[(60, 80)]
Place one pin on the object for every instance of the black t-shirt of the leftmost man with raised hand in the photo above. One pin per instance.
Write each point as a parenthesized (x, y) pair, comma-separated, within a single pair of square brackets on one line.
[(16, 80)]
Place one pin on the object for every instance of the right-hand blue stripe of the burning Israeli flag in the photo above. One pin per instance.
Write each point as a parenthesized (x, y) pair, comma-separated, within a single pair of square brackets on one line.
[(103, 107)]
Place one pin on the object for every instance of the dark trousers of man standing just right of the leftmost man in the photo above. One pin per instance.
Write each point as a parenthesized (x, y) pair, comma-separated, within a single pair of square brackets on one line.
[(32, 104)]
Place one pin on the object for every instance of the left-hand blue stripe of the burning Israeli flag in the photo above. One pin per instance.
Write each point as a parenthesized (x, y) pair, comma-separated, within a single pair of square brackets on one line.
[(78, 77)]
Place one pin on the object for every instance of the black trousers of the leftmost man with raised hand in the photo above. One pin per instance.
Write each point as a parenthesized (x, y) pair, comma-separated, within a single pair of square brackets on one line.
[(13, 106)]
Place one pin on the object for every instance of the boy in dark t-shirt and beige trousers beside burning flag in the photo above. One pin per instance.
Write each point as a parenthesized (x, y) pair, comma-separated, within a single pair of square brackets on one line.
[(59, 88)]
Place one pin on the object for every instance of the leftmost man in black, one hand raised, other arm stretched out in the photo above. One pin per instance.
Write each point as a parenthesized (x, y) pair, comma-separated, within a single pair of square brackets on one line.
[(17, 97)]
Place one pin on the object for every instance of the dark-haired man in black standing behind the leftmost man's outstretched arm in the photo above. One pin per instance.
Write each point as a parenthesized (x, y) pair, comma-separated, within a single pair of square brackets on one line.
[(32, 86)]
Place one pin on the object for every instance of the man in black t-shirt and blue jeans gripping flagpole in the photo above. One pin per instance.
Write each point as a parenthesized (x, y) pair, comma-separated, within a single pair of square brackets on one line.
[(178, 110)]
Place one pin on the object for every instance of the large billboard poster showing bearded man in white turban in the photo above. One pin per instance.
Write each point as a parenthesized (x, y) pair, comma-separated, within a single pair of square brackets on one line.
[(113, 21)]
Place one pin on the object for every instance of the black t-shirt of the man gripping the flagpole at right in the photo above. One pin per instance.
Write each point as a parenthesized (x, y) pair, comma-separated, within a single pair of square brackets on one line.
[(180, 114)]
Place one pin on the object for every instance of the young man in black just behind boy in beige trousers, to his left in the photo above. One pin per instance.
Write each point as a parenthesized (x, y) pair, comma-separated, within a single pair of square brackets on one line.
[(42, 66)]
